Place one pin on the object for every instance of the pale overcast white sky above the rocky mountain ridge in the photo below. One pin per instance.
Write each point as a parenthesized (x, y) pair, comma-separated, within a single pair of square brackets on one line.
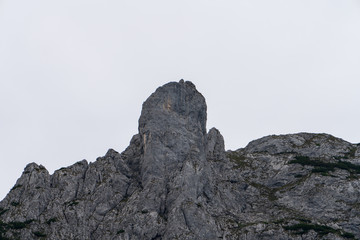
[(74, 73)]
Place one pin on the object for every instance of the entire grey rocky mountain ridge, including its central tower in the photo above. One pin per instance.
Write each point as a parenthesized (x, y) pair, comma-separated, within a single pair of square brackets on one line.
[(175, 181)]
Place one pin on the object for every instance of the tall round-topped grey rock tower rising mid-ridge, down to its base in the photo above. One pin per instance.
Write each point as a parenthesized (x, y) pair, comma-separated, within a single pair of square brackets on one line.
[(172, 127)]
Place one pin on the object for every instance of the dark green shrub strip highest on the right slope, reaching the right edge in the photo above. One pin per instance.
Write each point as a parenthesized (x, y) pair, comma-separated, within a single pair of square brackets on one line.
[(323, 167)]
